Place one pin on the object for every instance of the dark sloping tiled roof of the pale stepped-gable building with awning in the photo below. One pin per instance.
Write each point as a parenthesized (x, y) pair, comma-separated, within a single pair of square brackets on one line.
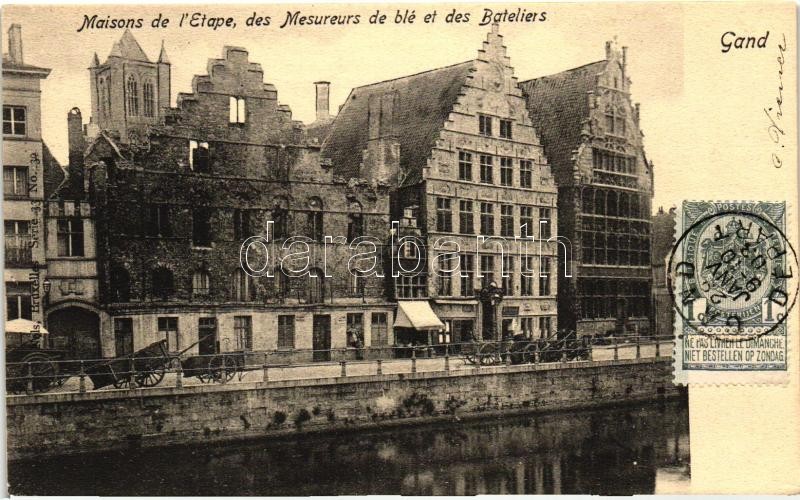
[(422, 104)]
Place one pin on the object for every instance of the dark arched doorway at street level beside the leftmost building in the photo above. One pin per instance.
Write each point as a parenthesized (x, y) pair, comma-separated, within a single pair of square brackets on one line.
[(76, 330)]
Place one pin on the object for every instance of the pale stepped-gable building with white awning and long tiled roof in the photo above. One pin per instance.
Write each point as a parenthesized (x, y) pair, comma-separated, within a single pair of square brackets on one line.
[(458, 147)]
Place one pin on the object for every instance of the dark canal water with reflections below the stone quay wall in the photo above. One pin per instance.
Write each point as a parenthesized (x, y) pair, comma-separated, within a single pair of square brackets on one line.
[(622, 451)]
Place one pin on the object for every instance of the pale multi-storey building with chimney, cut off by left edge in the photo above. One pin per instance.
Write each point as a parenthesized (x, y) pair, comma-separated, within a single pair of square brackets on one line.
[(24, 157)]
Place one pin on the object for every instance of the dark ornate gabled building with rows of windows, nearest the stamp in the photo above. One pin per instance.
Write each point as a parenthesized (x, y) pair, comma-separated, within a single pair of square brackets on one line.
[(590, 131)]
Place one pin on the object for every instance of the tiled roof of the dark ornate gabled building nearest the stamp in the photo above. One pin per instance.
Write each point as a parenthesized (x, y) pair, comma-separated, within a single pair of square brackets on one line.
[(558, 105)]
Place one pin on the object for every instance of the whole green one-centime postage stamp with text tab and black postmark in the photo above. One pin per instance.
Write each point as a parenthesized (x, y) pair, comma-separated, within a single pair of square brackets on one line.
[(731, 279)]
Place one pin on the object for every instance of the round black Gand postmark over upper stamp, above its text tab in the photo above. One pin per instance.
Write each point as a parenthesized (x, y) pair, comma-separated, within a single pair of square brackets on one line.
[(730, 273)]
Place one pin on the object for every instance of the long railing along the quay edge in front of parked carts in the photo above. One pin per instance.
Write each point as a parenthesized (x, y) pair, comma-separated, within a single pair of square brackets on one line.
[(146, 368)]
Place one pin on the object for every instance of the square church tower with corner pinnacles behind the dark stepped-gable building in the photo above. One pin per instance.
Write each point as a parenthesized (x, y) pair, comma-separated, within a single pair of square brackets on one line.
[(129, 92)]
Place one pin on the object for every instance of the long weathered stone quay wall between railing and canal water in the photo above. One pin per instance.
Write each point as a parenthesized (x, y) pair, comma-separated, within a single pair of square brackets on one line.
[(73, 423)]
